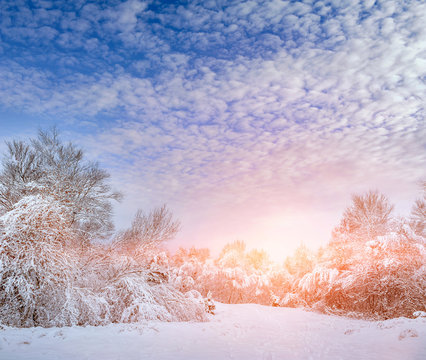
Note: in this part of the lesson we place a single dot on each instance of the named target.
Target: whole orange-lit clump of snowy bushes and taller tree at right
(374, 266)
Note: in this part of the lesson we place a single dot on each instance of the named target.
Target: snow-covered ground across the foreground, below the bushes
(235, 332)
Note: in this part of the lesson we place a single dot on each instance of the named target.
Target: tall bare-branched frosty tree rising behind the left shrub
(45, 165)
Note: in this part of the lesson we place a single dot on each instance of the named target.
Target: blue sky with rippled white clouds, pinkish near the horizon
(252, 120)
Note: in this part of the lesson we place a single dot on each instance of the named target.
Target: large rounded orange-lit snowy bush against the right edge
(390, 282)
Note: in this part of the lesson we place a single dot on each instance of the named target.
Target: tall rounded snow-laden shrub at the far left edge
(37, 265)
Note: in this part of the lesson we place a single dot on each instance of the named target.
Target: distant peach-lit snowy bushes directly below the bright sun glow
(234, 277)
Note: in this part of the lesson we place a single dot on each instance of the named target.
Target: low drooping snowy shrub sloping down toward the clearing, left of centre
(135, 293)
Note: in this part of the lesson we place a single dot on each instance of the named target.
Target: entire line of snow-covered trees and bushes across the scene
(62, 263)
